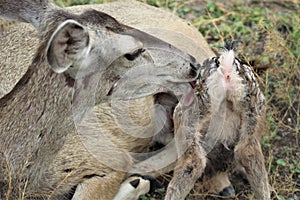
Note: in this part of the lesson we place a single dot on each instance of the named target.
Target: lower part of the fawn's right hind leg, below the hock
(249, 155)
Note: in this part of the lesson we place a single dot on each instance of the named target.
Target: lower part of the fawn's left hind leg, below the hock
(189, 168)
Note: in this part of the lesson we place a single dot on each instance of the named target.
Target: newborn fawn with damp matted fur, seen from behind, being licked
(231, 120)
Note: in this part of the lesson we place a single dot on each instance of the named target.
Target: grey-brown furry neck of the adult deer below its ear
(34, 117)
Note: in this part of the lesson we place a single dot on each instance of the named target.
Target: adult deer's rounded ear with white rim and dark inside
(68, 44)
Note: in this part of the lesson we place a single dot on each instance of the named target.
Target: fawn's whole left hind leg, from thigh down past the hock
(191, 155)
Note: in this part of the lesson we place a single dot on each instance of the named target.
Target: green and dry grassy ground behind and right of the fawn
(270, 35)
